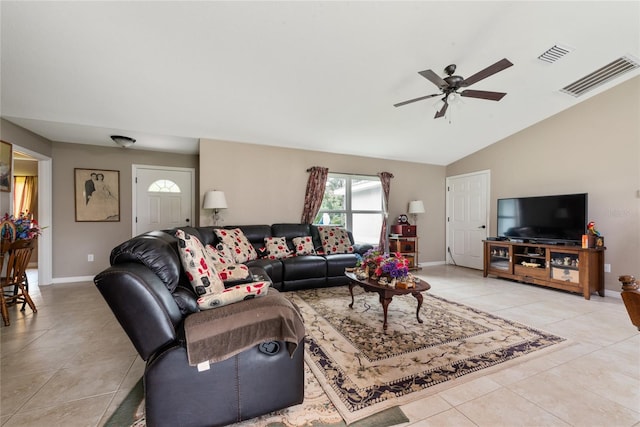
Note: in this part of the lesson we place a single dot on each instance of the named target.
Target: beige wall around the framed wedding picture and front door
(72, 241)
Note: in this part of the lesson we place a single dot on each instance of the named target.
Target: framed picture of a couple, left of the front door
(97, 195)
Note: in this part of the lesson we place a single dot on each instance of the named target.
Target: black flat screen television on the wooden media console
(544, 219)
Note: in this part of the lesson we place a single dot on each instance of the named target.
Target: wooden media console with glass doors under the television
(570, 268)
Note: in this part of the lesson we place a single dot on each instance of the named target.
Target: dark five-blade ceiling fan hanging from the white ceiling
(451, 84)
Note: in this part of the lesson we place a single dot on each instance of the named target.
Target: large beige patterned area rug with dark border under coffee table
(365, 370)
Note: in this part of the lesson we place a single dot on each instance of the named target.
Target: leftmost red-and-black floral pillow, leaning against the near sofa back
(198, 266)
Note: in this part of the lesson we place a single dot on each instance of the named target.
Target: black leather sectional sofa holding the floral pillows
(148, 291)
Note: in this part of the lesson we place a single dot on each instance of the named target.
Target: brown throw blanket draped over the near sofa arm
(223, 332)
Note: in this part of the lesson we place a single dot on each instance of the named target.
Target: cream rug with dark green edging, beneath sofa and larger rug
(316, 411)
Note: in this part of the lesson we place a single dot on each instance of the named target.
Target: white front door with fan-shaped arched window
(163, 198)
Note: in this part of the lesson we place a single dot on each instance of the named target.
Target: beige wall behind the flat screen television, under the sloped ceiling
(592, 148)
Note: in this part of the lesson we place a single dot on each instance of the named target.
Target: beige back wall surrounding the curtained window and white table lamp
(266, 185)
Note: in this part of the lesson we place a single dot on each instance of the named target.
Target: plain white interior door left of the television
(467, 218)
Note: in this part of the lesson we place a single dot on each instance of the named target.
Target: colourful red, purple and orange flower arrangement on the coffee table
(387, 269)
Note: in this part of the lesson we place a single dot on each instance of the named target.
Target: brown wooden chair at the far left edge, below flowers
(14, 259)
